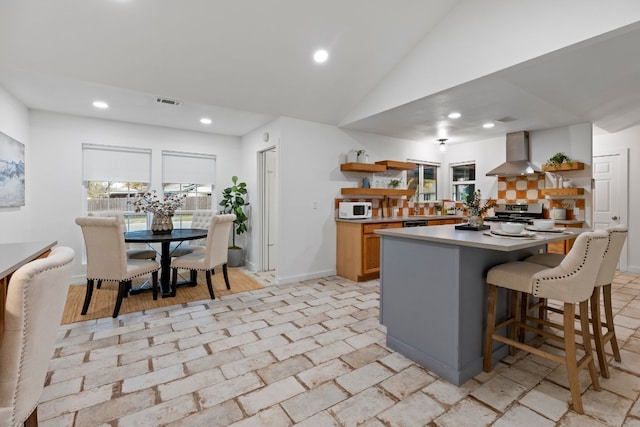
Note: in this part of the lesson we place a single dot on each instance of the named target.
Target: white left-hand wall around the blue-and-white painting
(15, 225)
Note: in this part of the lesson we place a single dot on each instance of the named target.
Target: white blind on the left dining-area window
(111, 163)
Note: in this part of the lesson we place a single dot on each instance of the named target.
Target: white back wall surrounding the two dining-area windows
(56, 148)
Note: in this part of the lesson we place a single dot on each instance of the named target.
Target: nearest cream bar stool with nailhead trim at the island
(571, 282)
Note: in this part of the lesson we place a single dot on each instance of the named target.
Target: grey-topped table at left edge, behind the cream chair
(12, 257)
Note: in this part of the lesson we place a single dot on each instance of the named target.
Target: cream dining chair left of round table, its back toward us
(107, 259)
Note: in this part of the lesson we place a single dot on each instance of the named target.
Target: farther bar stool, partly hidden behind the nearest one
(617, 238)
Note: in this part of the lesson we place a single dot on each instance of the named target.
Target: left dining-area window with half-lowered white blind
(112, 175)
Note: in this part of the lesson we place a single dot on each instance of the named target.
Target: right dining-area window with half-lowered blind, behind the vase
(192, 174)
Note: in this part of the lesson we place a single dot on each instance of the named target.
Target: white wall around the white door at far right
(627, 139)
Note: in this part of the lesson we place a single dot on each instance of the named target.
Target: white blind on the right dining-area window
(191, 168)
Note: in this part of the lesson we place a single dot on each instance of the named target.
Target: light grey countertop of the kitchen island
(447, 234)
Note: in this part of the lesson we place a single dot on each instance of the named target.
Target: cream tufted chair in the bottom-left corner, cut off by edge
(36, 297)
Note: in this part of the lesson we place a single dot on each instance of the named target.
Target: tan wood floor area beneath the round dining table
(103, 299)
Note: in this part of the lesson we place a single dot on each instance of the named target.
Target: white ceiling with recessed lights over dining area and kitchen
(245, 62)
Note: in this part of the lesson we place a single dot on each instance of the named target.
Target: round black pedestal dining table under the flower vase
(165, 239)
